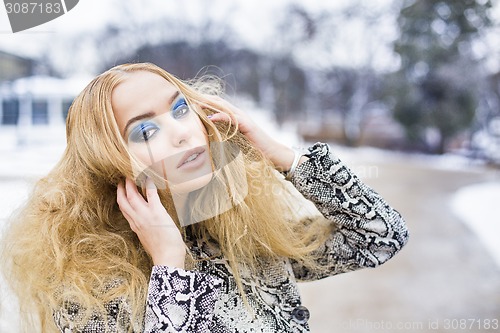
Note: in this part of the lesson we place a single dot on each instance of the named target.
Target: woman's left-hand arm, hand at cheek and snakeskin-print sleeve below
(177, 300)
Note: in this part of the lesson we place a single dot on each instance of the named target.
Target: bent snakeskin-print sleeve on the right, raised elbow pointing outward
(367, 232)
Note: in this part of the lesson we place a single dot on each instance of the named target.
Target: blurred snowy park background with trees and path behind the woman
(407, 92)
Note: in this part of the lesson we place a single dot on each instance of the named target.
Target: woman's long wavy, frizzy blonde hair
(71, 243)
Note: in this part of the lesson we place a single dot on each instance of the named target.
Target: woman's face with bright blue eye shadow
(162, 131)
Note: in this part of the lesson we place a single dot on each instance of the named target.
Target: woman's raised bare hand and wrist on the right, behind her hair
(281, 155)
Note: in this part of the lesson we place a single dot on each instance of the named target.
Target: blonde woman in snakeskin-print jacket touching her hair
(166, 214)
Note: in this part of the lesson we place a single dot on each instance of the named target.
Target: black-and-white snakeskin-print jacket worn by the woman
(368, 232)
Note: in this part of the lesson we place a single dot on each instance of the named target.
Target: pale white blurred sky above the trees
(253, 21)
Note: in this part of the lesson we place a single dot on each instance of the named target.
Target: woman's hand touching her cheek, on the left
(153, 225)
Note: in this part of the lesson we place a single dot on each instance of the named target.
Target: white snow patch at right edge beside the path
(475, 205)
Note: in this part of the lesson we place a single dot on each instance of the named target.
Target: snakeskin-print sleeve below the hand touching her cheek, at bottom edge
(180, 300)
